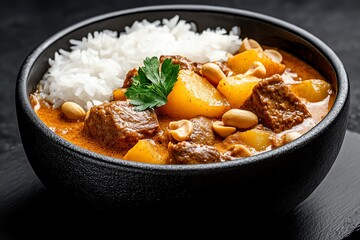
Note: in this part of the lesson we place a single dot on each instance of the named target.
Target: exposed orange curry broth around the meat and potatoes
(73, 132)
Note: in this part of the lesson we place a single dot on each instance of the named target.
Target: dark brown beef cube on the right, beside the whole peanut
(275, 105)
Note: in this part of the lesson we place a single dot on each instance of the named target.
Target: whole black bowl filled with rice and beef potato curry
(120, 119)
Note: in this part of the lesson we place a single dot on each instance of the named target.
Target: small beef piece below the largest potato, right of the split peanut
(202, 132)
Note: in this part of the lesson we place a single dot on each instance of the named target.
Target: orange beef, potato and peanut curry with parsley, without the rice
(179, 109)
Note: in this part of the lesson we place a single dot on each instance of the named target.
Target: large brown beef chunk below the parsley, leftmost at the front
(118, 124)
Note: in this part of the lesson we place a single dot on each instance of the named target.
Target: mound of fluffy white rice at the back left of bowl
(98, 64)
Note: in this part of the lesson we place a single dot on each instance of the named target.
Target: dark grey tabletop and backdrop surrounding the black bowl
(26, 207)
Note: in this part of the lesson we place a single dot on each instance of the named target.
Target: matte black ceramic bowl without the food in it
(277, 180)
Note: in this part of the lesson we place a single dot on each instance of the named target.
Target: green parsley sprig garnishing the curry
(153, 84)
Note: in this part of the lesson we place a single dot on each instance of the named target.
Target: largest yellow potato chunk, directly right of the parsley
(191, 96)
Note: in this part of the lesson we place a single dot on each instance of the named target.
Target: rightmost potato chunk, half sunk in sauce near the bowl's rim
(313, 90)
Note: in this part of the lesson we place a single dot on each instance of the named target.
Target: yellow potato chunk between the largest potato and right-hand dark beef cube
(237, 88)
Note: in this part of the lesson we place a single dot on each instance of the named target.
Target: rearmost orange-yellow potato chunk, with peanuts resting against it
(241, 62)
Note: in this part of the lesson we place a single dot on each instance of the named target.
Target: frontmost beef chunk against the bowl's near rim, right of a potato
(192, 153)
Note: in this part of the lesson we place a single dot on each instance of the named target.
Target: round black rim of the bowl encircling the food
(339, 102)
